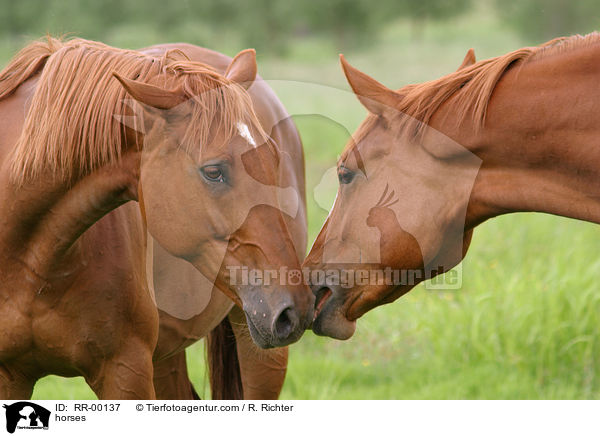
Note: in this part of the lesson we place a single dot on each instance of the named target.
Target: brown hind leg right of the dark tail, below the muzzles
(262, 371)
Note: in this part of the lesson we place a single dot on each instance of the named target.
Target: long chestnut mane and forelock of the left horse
(72, 125)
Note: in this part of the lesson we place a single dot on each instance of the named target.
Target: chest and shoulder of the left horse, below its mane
(61, 308)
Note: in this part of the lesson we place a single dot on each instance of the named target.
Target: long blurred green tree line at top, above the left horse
(265, 24)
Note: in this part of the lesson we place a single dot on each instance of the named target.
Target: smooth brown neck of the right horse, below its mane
(539, 145)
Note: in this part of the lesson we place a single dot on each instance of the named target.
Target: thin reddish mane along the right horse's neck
(471, 87)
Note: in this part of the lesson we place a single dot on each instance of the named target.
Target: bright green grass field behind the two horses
(526, 323)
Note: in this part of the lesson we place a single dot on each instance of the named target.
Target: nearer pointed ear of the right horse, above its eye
(376, 97)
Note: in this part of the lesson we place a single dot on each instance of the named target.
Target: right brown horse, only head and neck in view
(514, 133)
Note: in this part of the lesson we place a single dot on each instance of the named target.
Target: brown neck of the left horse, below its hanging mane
(46, 218)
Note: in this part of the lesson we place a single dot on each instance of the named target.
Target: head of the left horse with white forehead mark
(212, 193)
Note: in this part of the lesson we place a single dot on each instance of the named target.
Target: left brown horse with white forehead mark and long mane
(76, 298)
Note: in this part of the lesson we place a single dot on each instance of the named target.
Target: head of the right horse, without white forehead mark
(400, 206)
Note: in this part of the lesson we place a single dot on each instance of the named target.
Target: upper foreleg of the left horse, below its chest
(127, 374)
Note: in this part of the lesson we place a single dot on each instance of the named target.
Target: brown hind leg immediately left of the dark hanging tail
(171, 380)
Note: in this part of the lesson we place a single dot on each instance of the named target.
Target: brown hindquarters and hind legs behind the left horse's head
(238, 368)
